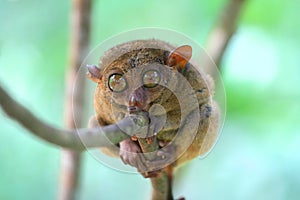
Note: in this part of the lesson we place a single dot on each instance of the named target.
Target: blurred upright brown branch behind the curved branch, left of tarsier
(79, 39)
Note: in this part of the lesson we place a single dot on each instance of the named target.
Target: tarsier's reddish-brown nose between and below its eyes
(137, 101)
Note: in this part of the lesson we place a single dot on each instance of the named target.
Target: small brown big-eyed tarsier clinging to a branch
(136, 75)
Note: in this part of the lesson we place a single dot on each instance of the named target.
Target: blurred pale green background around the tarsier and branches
(257, 156)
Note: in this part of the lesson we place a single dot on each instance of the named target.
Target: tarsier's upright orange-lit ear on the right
(179, 57)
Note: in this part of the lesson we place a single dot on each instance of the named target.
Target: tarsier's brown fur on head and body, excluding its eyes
(111, 107)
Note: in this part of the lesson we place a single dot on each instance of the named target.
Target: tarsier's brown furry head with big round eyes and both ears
(135, 75)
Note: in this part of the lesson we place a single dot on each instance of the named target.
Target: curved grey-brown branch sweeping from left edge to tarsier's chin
(77, 140)
